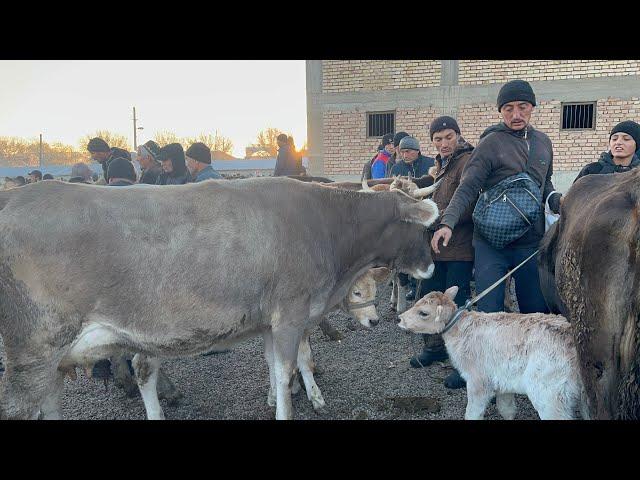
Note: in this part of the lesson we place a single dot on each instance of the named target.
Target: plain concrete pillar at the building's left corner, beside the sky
(315, 136)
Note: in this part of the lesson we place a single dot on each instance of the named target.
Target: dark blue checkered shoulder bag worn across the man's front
(508, 210)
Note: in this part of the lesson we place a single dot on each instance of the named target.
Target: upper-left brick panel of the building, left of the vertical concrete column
(369, 75)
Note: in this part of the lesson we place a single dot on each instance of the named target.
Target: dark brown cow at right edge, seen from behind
(592, 253)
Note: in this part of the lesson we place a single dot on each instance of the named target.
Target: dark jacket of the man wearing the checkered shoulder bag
(501, 153)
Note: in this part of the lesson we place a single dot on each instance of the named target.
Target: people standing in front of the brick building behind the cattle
(505, 151)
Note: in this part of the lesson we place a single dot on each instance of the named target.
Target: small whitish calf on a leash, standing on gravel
(506, 353)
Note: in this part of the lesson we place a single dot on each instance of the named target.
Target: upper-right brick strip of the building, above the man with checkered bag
(475, 72)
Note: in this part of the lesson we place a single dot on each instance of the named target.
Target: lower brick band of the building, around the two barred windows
(347, 146)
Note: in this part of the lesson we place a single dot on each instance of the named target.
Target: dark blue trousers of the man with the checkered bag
(491, 264)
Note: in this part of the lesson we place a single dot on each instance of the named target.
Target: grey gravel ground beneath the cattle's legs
(366, 375)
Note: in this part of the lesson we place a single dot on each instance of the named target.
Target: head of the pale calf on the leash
(431, 313)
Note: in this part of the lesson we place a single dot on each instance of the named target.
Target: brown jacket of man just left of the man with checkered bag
(448, 173)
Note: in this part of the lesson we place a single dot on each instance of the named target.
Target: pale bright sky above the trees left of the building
(65, 100)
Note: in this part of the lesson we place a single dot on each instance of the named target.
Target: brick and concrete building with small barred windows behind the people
(350, 102)
